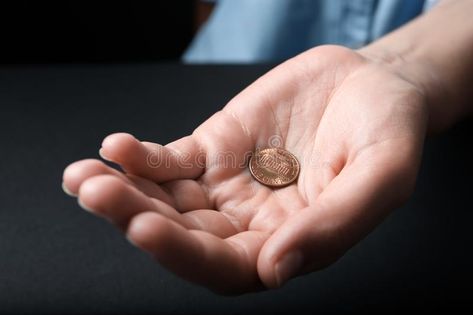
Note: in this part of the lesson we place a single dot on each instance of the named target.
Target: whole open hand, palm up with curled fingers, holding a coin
(357, 129)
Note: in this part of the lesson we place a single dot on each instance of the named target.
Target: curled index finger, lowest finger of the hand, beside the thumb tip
(224, 266)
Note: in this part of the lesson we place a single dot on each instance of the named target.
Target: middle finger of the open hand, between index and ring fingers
(113, 199)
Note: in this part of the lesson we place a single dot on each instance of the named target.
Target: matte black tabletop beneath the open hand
(56, 258)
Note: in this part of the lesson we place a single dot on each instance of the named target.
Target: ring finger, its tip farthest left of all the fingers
(76, 173)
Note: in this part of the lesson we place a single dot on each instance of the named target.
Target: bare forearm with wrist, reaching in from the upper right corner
(435, 52)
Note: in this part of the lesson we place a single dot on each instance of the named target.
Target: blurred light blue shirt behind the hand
(246, 31)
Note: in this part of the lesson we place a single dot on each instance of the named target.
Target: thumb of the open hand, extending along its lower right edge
(348, 209)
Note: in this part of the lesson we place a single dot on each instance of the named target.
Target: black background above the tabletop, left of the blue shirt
(45, 31)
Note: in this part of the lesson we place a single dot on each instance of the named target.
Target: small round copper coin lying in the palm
(274, 167)
